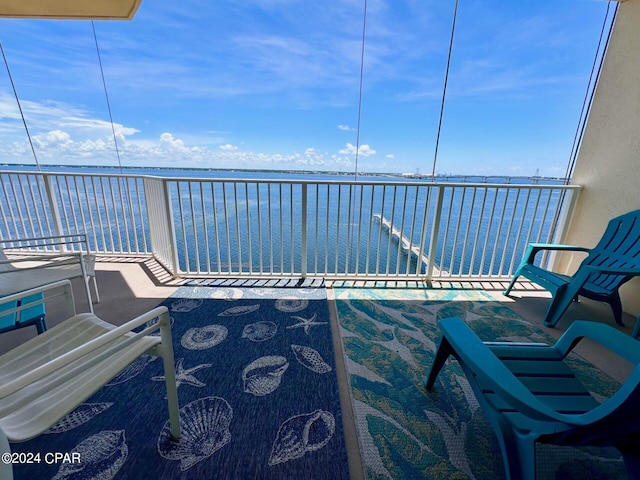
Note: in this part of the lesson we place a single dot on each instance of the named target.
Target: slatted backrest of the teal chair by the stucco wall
(618, 247)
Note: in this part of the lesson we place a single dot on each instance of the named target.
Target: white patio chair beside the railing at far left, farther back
(41, 260)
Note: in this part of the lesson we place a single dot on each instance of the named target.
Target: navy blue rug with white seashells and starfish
(258, 397)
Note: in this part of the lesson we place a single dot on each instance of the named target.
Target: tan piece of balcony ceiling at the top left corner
(71, 9)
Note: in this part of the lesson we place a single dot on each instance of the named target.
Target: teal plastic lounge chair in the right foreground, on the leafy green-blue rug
(531, 396)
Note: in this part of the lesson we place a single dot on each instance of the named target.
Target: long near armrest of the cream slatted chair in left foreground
(91, 346)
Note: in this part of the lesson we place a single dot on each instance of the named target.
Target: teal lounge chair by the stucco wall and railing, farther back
(612, 262)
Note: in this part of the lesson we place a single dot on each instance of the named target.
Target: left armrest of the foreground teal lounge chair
(478, 360)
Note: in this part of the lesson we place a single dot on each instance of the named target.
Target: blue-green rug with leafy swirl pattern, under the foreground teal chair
(389, 339)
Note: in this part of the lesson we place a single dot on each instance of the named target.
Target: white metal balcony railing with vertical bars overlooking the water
(287, 228)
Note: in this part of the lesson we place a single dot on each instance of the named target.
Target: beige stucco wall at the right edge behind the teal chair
(608, 164)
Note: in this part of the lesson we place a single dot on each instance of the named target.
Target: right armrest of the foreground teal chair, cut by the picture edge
(616, 341)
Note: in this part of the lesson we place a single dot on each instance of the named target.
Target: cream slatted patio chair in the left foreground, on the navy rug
(47, 377)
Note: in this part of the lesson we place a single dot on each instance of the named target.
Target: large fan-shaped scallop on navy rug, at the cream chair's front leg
(204, 427)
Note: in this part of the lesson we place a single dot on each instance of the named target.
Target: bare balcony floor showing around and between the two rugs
(130, 286)
